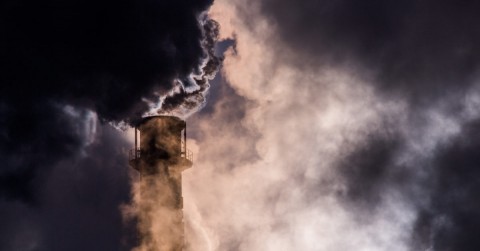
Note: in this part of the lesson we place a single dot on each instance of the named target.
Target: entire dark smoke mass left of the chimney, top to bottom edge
(68, 68)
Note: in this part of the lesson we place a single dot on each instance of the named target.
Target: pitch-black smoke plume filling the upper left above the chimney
(104, 56)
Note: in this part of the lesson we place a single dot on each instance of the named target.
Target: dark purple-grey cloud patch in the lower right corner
(450, 219)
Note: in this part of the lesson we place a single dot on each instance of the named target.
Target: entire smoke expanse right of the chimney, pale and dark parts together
(341, 125)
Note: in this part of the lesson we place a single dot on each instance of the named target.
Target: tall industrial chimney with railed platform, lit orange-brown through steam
(160, 157)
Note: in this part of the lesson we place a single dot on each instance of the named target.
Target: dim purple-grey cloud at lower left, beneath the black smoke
(76, 202)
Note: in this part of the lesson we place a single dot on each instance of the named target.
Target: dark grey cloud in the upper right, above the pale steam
(424, 49)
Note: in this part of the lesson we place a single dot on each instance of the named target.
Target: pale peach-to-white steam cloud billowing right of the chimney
(269, 179)
